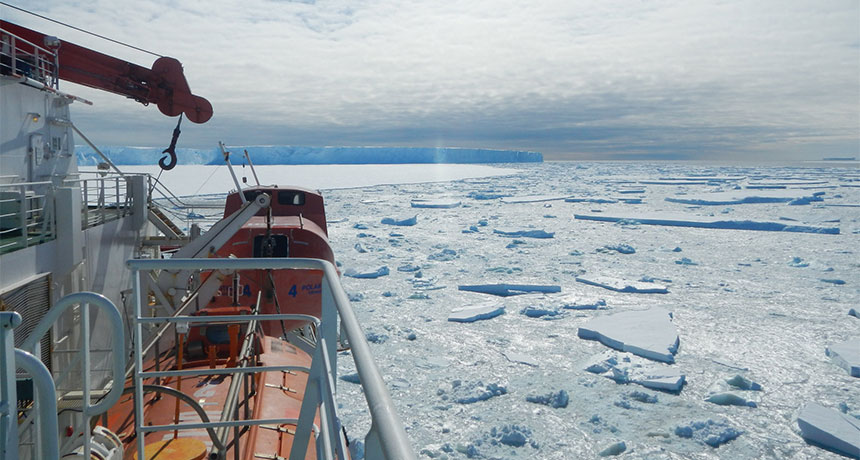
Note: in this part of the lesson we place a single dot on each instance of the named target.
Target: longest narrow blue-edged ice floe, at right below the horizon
(684, 220)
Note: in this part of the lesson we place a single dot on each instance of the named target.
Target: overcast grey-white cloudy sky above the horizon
(733, 79)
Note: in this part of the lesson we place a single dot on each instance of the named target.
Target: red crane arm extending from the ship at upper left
(163, 85)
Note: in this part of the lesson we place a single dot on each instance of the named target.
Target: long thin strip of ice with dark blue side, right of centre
(720, 224)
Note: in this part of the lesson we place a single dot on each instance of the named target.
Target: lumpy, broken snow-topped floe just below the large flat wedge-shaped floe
(625, 369)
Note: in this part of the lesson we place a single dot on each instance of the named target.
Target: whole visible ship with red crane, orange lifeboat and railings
(114, 344)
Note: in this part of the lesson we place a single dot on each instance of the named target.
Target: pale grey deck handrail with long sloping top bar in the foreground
(387, 437)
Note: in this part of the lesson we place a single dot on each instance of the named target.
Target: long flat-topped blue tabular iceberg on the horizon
(303, 155)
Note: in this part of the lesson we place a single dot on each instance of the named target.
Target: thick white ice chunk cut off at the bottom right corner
(830, 428)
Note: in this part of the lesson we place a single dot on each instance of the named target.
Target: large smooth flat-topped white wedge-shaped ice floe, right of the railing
(647, 333)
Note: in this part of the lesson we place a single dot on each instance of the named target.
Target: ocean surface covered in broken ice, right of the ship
(516, 380)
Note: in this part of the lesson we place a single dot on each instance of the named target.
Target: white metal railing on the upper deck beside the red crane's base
(21, 57)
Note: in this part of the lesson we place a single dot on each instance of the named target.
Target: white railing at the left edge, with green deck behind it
(26, 215)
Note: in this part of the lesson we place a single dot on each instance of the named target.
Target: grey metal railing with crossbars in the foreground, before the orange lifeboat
(386, 438)
